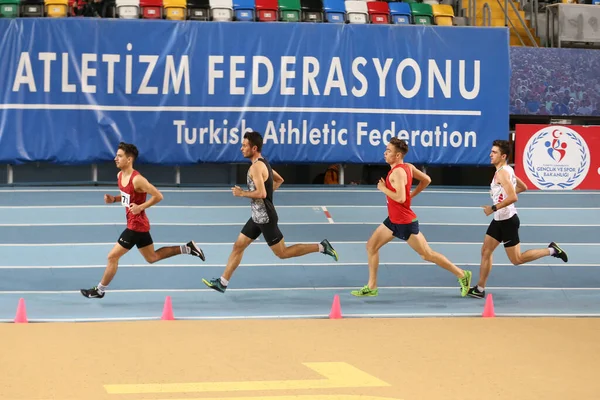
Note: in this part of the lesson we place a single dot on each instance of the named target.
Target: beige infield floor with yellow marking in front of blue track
(349, 359)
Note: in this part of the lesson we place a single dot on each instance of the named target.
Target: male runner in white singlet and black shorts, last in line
(504, 227)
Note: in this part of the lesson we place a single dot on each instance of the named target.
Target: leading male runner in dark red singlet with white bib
(134, 189)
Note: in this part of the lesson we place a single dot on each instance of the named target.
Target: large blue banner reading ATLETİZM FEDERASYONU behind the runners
(185, 92)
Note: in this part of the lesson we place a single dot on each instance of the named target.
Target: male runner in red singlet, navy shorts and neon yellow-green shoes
(402, 222)
